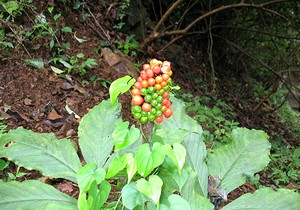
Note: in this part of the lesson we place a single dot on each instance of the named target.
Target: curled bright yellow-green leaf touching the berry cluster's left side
(120, 86)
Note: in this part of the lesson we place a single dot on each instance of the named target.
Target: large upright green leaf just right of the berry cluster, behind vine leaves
(181, 127)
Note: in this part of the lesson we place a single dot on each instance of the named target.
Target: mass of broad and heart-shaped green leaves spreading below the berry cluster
(167, 172)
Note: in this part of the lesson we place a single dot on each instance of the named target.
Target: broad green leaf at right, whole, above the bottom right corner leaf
(247, 154)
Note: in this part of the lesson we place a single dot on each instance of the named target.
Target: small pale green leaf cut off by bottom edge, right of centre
(176, 202)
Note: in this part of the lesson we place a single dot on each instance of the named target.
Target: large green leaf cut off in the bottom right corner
(267, 199)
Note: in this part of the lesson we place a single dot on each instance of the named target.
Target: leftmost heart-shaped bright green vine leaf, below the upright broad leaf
(87, 174)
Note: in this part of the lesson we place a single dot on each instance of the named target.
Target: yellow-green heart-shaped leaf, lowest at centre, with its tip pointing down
(151, 188)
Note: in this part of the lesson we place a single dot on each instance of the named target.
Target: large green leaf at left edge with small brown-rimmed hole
(43, 152)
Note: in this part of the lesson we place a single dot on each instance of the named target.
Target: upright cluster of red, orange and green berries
(150, 93)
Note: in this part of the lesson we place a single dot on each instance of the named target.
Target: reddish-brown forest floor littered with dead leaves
(37, 99)
